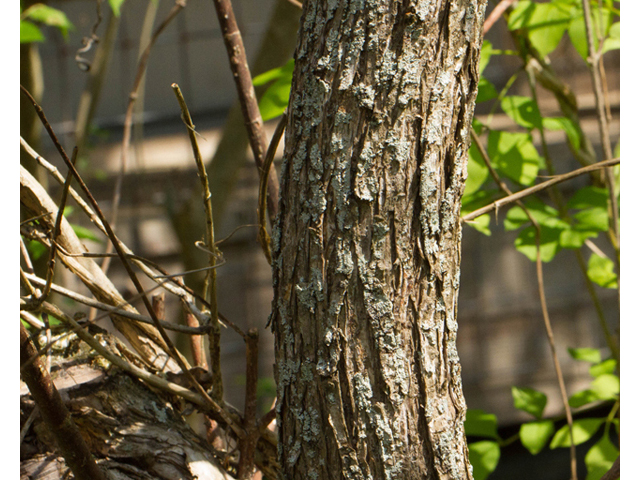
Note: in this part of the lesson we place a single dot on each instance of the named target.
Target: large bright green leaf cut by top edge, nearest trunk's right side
(545, 23)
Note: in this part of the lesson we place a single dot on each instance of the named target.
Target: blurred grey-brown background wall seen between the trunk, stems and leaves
(502, 340)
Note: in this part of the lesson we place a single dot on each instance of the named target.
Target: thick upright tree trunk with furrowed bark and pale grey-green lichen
(367, 241)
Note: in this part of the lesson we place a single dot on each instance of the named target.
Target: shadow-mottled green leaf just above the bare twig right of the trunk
(514, 155)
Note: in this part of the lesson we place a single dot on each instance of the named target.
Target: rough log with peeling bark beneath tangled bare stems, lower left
(132, 431)
